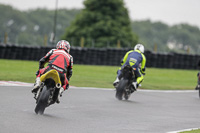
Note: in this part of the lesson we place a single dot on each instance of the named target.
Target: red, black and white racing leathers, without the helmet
(59, 60)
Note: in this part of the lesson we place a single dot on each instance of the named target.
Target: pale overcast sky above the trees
(167, 11)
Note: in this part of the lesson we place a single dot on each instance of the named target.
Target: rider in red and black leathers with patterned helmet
(60, 60)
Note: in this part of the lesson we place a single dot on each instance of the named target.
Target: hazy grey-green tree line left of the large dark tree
(32, 27)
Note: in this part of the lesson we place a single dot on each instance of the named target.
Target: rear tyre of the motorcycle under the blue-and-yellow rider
(120, 88)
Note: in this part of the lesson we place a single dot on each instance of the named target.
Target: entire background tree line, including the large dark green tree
(35, 27)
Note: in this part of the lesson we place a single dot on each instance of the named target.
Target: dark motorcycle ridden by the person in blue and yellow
(125, 88)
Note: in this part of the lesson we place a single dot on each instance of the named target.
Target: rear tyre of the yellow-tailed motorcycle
(42, 101)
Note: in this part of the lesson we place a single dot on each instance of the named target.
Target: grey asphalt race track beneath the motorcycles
(98, 111)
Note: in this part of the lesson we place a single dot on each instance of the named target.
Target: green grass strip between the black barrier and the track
(102, 76)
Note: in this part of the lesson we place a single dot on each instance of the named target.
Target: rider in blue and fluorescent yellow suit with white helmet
(137, 60)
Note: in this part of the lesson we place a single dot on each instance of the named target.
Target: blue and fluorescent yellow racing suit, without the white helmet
(137, 61)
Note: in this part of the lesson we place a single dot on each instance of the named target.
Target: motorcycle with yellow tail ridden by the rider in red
(48, 91)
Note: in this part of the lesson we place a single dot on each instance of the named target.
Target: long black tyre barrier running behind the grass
(102, 56)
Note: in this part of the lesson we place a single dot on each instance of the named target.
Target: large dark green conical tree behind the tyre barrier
(102, 23)
